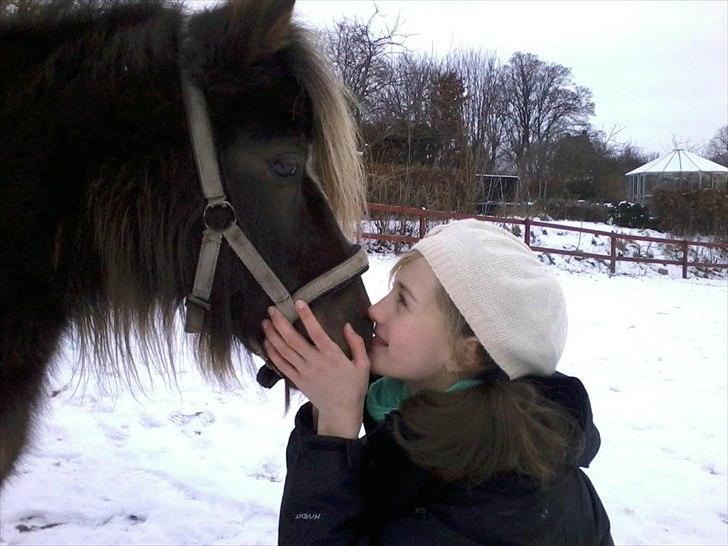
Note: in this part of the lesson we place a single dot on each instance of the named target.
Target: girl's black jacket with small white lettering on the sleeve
(367, 491)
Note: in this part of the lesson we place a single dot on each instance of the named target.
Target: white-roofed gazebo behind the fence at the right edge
(678, 168)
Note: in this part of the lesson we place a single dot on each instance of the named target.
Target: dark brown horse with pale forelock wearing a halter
(138, 137)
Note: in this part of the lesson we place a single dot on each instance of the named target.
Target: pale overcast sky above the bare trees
(658, 70)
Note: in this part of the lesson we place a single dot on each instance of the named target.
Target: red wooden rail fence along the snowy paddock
(424, 215)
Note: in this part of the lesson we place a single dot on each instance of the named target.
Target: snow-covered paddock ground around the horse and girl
(195, 465)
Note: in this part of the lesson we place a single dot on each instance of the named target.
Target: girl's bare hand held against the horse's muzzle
(335, 385)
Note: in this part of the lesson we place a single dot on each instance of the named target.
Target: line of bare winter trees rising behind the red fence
(472, 113)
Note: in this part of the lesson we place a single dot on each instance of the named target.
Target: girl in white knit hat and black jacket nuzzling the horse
(471, 435)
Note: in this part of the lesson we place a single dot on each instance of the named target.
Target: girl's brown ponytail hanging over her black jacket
(497, 427)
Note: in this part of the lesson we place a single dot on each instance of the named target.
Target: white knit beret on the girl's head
(513, 304)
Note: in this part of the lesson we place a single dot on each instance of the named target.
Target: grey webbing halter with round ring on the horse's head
(221, 222)
